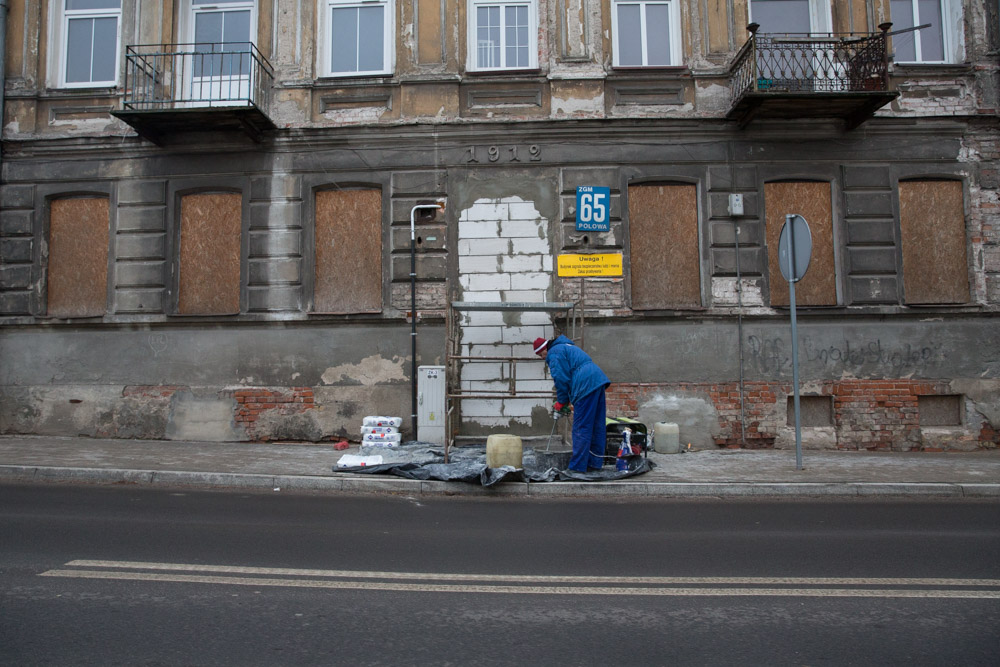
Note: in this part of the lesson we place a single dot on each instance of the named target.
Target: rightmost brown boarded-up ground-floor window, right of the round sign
(932, 223)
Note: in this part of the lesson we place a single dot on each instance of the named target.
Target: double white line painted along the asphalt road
(530, 584)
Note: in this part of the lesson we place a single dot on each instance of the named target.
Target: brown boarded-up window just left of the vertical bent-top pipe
(348, 251)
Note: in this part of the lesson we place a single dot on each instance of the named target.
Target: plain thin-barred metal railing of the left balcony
(165, 77)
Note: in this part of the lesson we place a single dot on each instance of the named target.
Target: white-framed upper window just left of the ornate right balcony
(646, 33)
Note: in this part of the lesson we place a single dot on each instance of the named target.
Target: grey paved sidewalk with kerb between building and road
(310, 467)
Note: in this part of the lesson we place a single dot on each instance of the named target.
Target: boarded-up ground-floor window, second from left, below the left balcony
(210, 254)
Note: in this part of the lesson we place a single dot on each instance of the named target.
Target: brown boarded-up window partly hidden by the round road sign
(814, 202)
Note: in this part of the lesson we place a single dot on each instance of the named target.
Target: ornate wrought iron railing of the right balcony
(780, 63)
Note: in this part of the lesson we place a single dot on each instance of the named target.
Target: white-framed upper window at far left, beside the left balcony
(88, 39)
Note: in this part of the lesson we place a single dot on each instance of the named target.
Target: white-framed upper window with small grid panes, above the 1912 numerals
(502, 35)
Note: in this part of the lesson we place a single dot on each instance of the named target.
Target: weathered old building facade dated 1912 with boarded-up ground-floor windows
(207, 214)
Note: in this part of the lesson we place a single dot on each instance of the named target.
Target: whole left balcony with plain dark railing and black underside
(175, 88)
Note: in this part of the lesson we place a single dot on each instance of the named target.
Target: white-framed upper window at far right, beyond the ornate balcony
(939, 43)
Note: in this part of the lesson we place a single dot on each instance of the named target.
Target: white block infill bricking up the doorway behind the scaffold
(504, 254)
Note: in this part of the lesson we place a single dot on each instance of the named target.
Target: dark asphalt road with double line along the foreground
(142, 576)
